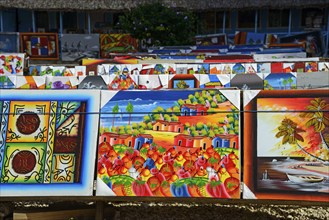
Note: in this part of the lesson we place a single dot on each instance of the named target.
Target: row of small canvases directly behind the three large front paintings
(270, 81)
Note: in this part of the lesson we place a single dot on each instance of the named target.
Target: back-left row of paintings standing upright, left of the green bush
(67, 47)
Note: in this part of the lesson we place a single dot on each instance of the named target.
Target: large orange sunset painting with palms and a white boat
(286, 146)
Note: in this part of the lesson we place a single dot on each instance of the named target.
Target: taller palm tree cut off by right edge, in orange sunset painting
(317, 118)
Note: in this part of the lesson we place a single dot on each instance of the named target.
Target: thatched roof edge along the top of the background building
(127, 4)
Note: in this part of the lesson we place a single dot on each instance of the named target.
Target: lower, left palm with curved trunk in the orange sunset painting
(289, 131)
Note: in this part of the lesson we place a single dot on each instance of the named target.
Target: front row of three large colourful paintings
(175, 143)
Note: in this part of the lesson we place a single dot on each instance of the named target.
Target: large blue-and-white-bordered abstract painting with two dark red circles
(48, 142)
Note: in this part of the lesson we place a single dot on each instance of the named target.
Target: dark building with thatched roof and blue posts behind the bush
(283, 17)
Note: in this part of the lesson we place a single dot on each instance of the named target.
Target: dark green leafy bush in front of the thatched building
(159, 25)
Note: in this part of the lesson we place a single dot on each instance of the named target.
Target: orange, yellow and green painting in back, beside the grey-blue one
(117, 43)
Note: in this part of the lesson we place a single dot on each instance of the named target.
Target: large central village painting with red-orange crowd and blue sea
(182, 143)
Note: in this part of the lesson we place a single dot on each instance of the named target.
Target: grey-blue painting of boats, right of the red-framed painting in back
(75, 47)
